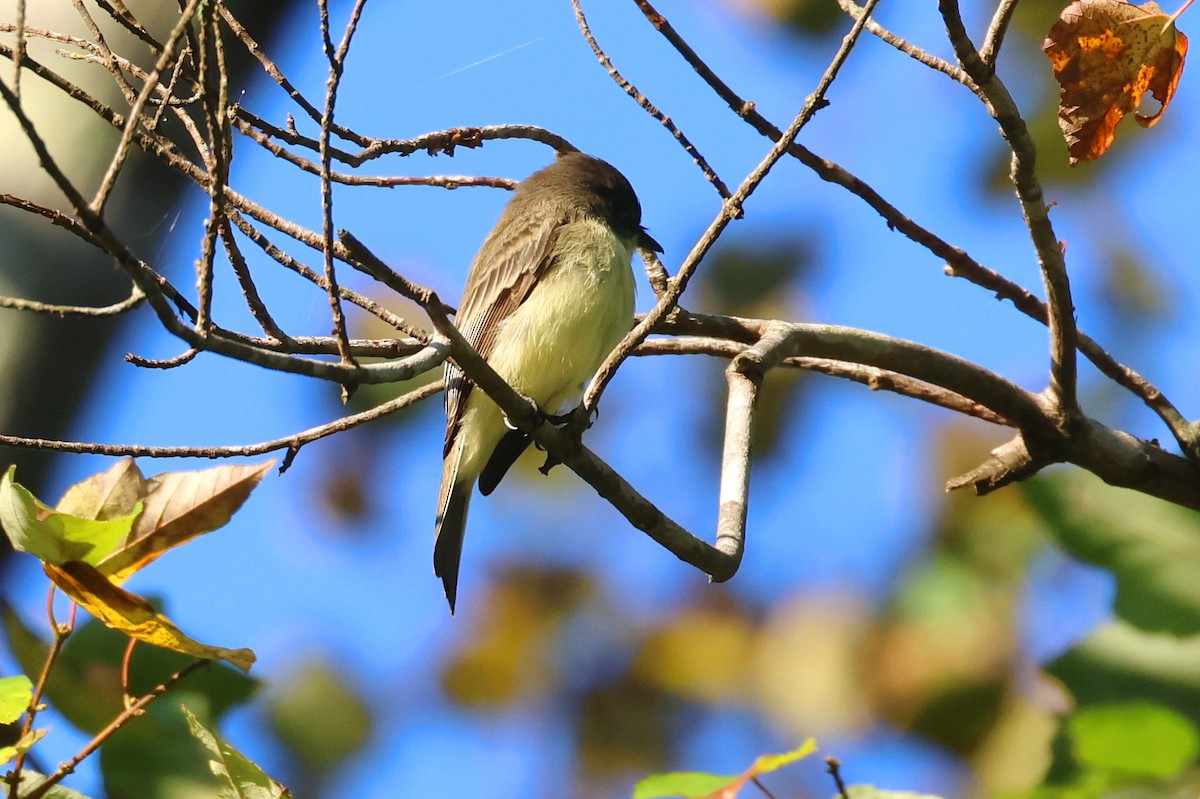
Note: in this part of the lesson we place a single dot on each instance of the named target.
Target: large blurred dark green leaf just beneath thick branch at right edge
(1153, 548)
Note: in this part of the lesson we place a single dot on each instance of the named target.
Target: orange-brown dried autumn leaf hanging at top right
(1107, 55)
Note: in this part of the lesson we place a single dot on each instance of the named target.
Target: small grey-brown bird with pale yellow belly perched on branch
(549, 296)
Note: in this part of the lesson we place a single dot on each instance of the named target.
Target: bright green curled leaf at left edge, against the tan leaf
(55, 537)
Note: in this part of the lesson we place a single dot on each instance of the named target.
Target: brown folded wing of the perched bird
(501, 279)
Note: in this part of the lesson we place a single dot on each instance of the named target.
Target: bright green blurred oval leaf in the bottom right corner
(1135, 738)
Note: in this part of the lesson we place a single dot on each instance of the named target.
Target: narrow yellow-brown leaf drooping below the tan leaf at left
(133, 615)
